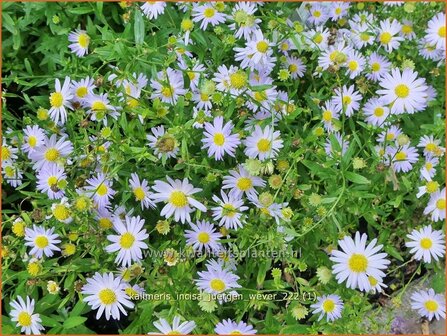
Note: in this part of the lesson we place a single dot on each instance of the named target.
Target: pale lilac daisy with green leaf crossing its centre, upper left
(168, 86)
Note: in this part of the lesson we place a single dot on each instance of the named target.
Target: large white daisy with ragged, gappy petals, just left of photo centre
(177, 195)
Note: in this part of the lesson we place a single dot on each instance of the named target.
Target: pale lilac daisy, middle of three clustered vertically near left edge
(51, 152)
